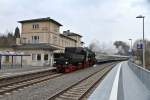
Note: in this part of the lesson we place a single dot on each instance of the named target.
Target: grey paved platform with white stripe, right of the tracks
(126, 81)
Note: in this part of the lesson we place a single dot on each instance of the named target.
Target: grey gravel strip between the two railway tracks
(42, 91)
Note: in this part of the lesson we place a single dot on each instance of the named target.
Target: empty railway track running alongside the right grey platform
(78, 90)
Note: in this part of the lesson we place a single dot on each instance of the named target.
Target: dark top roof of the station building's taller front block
(40, 20)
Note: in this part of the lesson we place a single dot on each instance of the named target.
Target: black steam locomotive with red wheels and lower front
(74, 58)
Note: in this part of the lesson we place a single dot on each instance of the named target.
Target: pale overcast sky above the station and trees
(102, 20)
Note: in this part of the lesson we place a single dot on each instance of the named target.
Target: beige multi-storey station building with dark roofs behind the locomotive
(41, 38)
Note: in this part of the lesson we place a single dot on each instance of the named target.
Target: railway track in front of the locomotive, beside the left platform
(24, 83)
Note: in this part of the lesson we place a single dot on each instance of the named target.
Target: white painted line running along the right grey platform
(114, 91)
